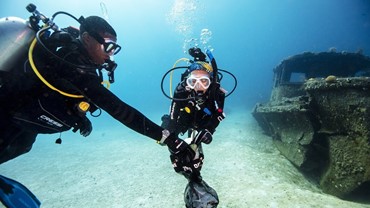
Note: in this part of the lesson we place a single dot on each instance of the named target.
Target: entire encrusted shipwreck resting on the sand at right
(318, 116)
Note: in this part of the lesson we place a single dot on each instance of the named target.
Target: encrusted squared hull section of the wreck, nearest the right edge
(344, 110)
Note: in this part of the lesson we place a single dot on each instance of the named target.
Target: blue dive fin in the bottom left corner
(13, 194)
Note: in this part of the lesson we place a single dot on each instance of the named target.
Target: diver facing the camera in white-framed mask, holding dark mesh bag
(196, 109)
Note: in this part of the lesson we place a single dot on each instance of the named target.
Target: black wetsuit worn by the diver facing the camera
(197, 114)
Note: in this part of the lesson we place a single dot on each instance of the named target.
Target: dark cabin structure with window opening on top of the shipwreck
(292, 73)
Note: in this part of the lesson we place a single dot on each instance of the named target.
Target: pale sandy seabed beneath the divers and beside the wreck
(121, 168)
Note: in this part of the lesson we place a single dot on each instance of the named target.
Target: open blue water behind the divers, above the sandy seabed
(248, 38)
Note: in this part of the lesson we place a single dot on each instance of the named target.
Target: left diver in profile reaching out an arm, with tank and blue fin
(51, 88)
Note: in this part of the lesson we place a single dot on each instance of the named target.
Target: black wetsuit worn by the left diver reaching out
(28, 107)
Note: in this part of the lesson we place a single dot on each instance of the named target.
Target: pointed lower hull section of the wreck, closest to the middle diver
(291, 129)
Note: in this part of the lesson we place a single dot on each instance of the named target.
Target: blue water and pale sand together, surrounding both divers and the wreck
(248, 38)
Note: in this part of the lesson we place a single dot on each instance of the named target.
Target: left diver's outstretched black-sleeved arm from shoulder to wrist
(89, 83)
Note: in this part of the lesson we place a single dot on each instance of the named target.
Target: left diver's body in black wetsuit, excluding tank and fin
(68, 86)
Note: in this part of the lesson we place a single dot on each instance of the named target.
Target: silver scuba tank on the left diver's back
(15, 39)
